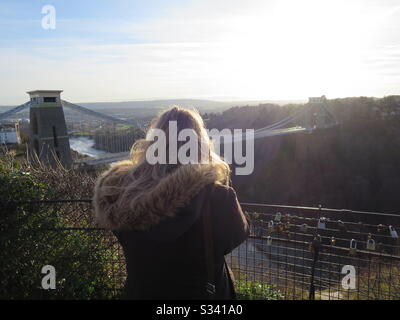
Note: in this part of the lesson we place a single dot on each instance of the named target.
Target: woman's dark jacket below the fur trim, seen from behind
(168, 261)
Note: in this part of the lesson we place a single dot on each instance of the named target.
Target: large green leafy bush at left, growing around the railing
(33, 235)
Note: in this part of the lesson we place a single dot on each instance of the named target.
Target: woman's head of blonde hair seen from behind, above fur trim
(178, 126)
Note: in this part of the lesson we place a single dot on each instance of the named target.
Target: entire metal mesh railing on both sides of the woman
(291, 253)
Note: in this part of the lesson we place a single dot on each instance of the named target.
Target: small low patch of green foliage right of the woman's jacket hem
(247, 290)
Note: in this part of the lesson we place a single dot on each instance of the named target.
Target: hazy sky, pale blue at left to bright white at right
(251, 49)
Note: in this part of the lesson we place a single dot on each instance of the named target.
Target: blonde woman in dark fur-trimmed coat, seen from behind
(175, 221)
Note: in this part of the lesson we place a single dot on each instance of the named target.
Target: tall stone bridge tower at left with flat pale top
(48, 130)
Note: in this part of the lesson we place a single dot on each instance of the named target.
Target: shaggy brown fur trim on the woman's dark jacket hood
(115, 208)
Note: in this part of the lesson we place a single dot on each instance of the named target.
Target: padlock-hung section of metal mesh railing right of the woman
(319, 253)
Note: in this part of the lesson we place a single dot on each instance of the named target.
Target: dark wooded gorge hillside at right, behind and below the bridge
(355, 165)
